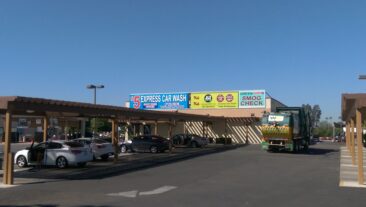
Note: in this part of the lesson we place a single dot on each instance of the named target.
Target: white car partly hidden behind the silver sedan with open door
(100, 148)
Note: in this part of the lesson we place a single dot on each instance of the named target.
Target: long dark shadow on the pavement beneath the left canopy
(99, 170)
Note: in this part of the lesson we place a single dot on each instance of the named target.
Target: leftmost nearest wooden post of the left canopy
(8, 176)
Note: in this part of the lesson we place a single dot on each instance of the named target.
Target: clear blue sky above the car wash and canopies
(300, 51)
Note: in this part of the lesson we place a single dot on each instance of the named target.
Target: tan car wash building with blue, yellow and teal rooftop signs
(241, 111)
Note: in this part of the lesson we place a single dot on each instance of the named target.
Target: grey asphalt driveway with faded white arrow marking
(245, 176)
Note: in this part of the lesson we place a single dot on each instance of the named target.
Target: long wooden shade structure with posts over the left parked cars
(27, 106)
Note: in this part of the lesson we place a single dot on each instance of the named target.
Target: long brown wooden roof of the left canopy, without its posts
(18, 105)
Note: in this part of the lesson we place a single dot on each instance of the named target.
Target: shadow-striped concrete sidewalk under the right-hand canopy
(348, 171)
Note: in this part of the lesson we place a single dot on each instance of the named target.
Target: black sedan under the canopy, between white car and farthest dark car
(145, 143)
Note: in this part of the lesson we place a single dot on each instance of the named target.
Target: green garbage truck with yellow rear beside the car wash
(287, 129)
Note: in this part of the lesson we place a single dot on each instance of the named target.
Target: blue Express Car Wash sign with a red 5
(169, 101)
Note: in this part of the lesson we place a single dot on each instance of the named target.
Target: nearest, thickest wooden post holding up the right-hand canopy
(359, 146)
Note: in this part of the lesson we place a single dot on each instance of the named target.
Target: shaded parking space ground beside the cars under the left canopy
(102, 168)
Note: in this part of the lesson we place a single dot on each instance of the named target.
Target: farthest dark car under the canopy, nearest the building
(192, 140)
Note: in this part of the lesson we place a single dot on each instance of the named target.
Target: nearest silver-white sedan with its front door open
(58, 153)
